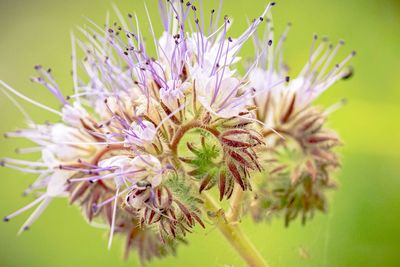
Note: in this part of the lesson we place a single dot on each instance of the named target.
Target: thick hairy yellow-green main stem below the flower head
(233, 234)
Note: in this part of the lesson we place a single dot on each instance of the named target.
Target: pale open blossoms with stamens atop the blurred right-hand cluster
(315, 77)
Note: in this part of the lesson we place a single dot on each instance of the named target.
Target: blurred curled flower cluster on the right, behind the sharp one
(300, 167)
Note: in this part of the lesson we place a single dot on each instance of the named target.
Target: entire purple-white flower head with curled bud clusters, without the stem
(144, 136)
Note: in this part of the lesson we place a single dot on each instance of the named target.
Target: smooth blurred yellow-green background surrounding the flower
(362, 227)
